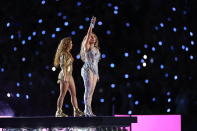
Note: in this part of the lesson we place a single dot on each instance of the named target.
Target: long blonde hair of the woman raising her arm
(82, 51)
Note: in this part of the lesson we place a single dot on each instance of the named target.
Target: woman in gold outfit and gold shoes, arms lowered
(64, 59)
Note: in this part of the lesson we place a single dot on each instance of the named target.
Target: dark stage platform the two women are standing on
(63, 122)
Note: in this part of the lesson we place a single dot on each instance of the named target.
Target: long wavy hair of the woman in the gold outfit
(63, 47)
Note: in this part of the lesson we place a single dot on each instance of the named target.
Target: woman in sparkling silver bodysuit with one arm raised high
(90, 55)
